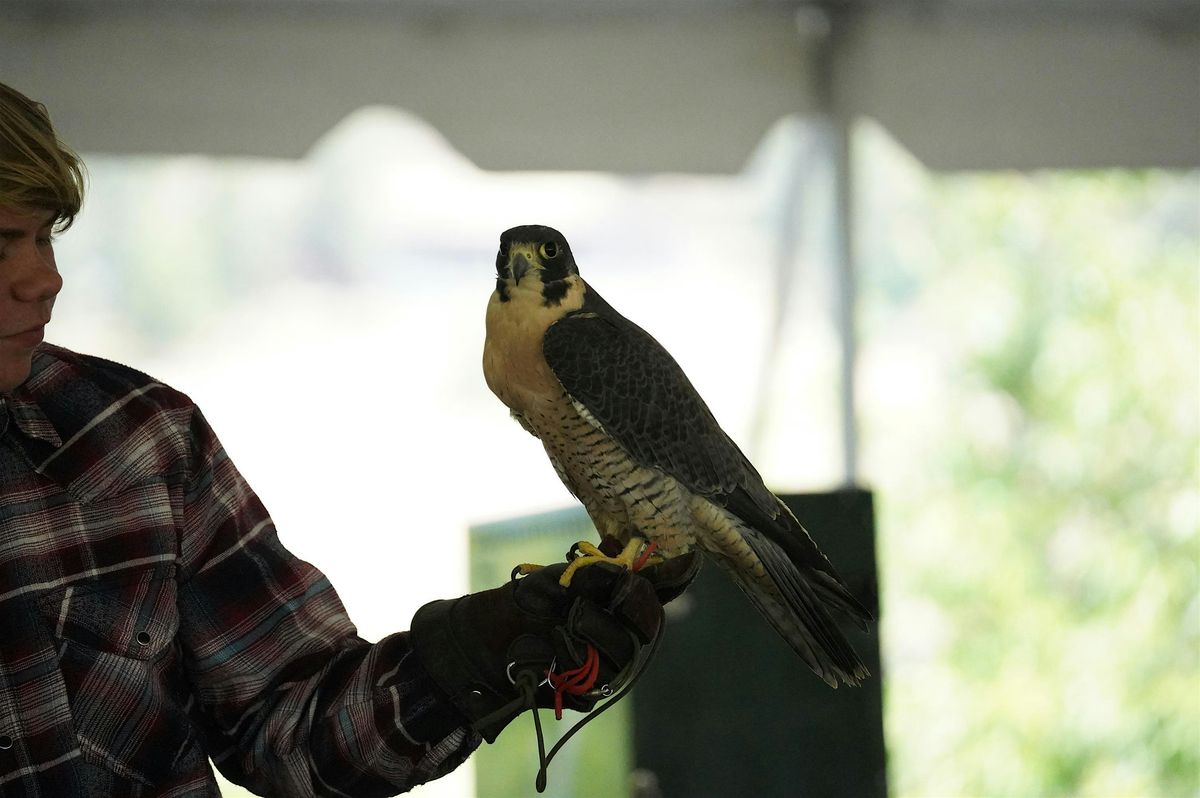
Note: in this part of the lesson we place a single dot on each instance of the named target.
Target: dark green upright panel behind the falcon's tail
(728, 710)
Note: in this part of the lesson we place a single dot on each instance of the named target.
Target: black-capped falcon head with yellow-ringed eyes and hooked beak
(535, 257)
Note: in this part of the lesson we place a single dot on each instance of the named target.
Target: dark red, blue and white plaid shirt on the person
(151, 619)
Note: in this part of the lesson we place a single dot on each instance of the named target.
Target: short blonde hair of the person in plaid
(38, 171)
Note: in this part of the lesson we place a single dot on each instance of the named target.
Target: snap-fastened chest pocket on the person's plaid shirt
(117, 650)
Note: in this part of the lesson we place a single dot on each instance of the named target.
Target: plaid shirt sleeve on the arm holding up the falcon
(290, 700)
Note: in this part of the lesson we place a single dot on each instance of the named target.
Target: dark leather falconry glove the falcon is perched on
(478, 647)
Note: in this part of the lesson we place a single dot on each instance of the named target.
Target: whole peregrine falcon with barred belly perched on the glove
(635, 443)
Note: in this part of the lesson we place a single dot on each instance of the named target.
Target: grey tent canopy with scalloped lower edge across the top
(626, 86)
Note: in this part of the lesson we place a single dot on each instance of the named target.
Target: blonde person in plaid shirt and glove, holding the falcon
(152, 620)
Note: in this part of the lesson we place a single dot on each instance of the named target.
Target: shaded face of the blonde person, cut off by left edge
(29, 283)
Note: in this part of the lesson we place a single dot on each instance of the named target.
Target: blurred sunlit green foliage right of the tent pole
(1031, 370)
